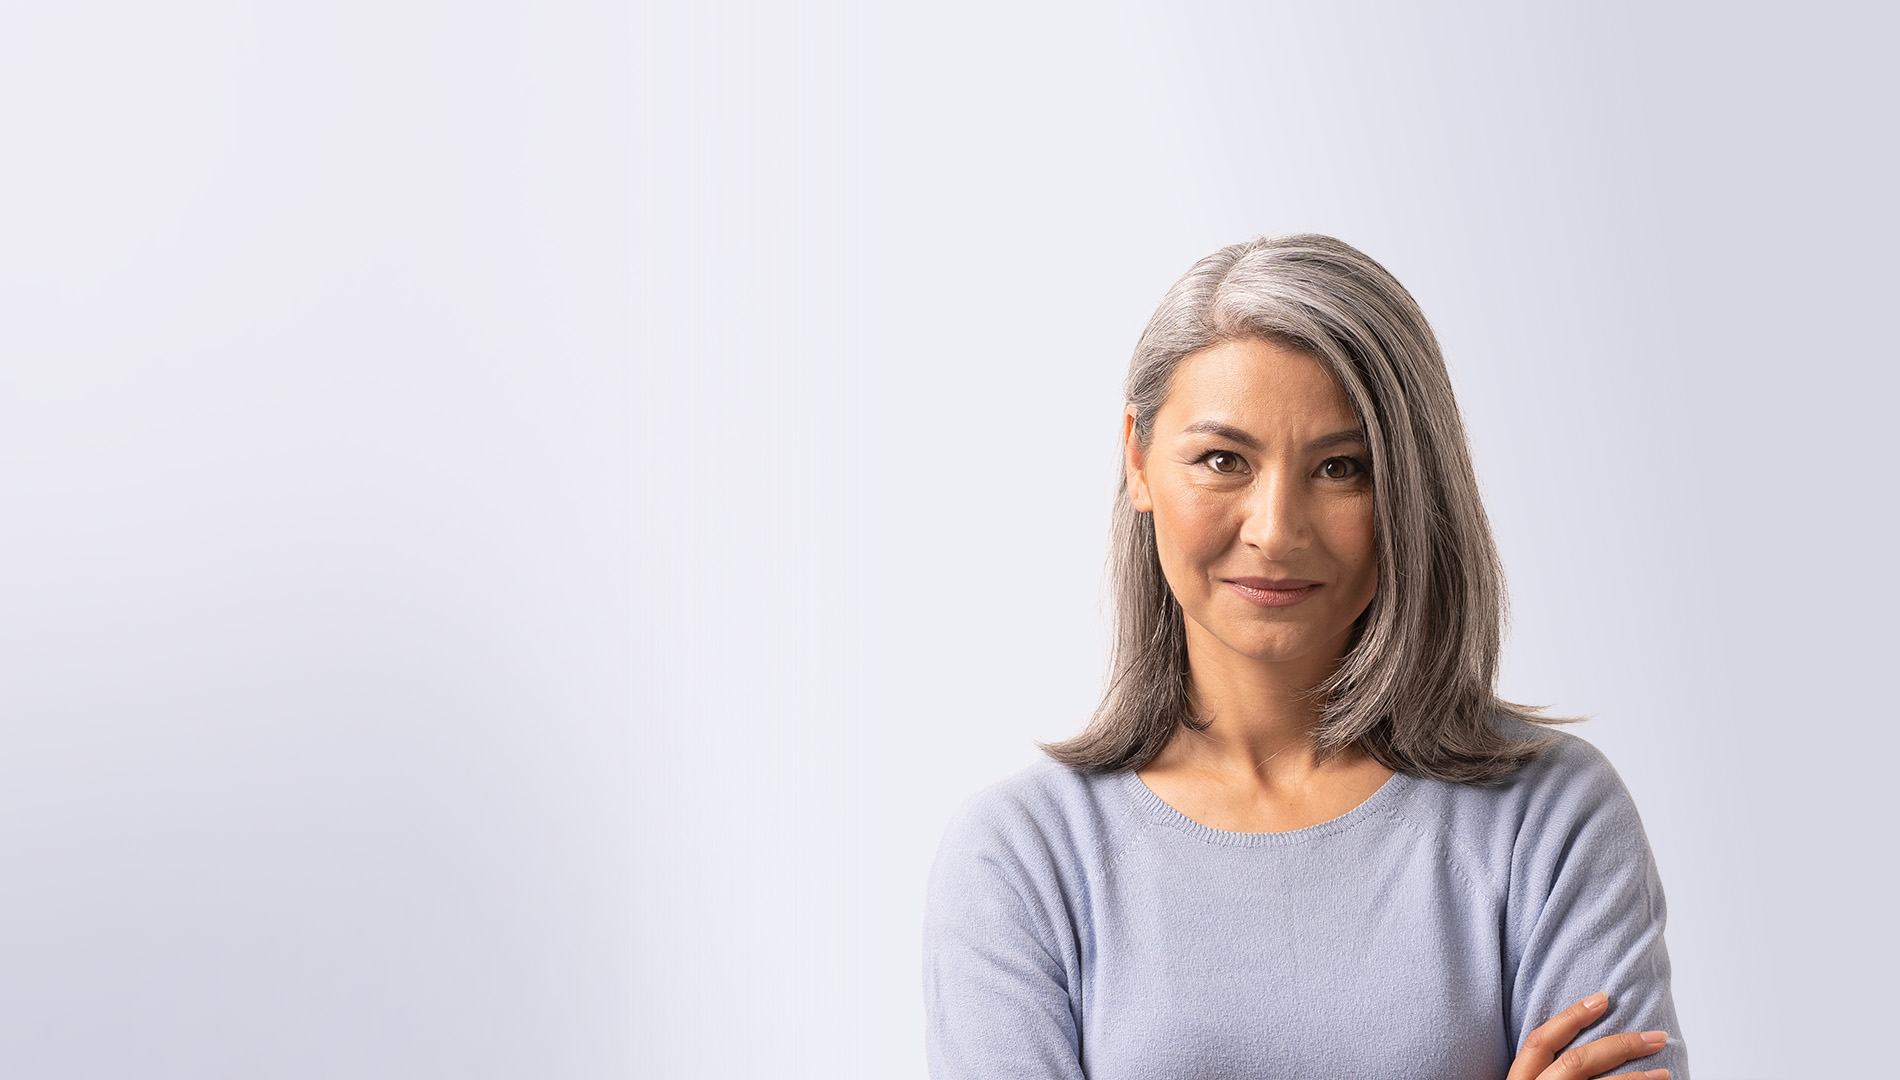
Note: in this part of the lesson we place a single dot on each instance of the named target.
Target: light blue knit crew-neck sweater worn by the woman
(1076, 925)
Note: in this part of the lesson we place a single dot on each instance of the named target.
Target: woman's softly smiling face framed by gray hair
(1259, 480)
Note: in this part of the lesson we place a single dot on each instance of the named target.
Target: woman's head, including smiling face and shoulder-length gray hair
(1337, 343)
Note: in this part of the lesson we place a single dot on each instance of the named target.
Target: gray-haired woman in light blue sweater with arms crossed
(1302, 836)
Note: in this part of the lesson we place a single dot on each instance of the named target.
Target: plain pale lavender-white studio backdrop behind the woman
(525, 520)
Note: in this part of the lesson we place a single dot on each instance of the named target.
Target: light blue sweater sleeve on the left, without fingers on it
(997, 982)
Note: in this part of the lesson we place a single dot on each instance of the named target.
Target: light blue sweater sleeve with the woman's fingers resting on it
(1586, 908)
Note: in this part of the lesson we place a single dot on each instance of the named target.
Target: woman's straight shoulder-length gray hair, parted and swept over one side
(1416, 687)
